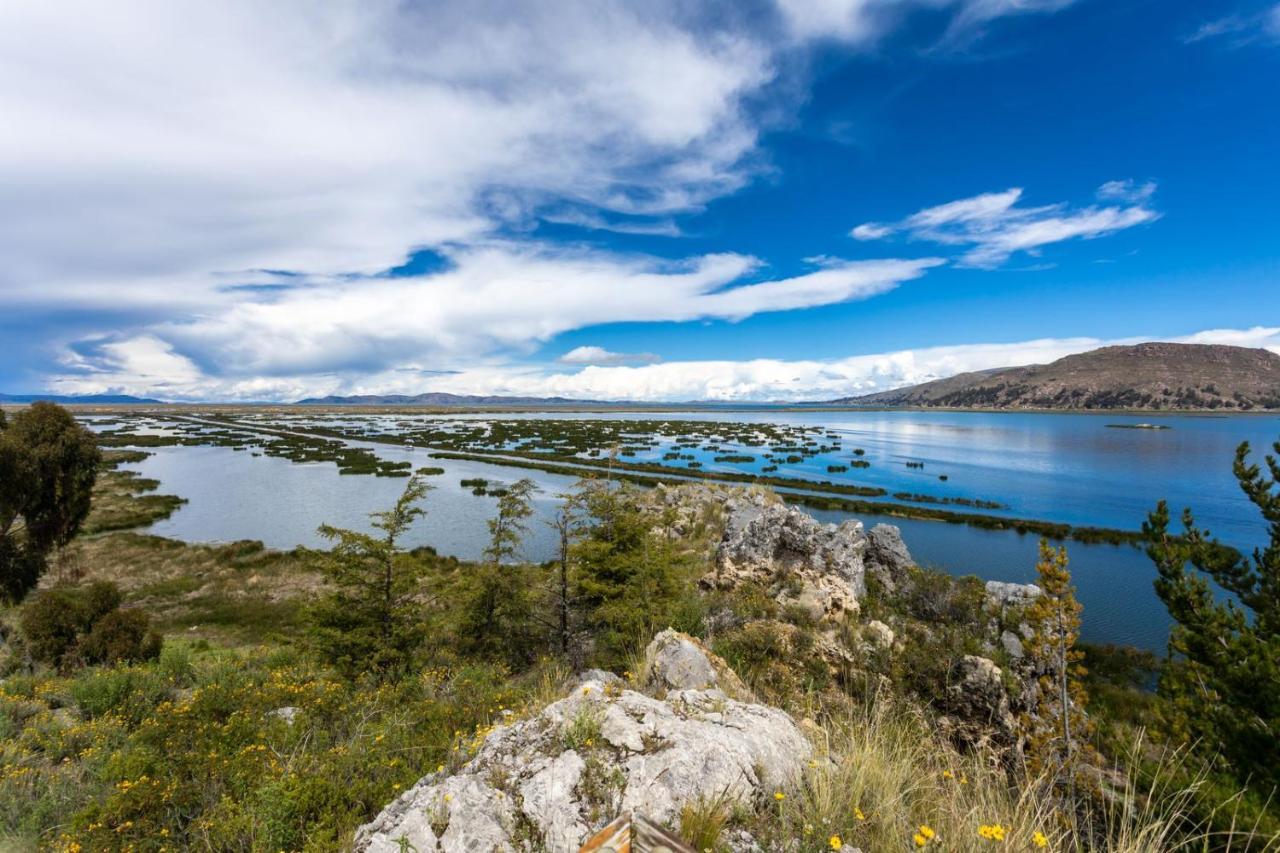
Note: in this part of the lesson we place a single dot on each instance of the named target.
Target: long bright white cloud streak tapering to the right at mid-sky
(499, 298)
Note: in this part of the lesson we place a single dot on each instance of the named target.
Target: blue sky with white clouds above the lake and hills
(767, 200)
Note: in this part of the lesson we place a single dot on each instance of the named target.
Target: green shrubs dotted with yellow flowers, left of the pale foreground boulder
(196, 758)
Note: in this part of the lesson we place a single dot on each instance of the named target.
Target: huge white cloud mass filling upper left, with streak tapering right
(252, 172)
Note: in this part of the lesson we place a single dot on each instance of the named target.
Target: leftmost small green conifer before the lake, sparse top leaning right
(372, 618)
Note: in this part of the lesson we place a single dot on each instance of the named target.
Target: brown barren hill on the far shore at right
(1172, 377)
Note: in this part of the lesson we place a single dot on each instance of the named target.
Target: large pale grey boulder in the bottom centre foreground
(548, 782)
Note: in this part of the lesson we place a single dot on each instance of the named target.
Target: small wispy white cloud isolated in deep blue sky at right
(994, 227)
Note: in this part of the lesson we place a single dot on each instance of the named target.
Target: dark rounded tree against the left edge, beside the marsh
(48, 467)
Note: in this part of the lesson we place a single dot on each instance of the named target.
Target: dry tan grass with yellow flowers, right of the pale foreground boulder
(881, 773)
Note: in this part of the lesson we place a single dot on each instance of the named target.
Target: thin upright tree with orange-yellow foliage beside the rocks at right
(1057, 728)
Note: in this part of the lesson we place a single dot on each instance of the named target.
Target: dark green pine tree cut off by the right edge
(1223, 678)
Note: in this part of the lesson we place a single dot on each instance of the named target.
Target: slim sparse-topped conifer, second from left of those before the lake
(499, 615)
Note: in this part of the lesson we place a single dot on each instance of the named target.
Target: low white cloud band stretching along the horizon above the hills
(757, 380)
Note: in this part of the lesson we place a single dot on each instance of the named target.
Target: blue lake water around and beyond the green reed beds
(1058, 468)
